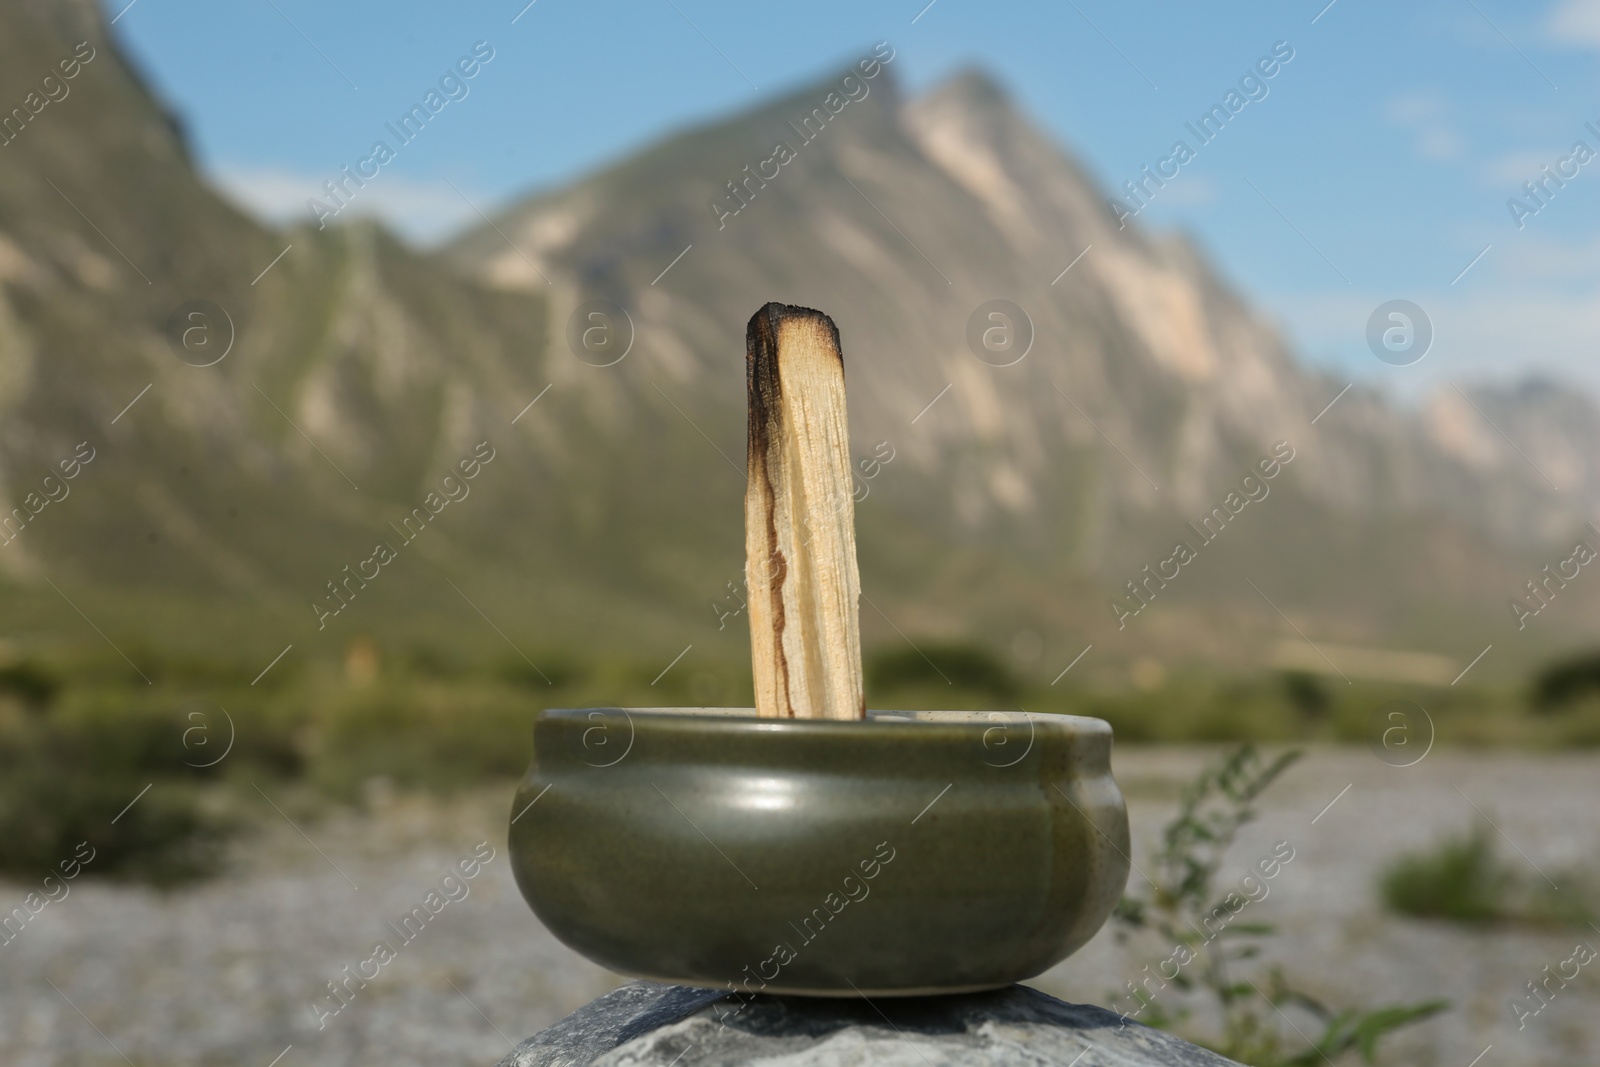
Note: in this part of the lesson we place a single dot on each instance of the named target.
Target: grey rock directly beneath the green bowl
(658, 1026)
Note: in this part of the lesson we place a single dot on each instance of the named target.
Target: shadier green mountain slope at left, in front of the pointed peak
(223, 500)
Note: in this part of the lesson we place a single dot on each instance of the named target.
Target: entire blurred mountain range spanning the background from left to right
(233, 508)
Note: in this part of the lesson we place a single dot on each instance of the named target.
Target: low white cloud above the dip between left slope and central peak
(420, 212)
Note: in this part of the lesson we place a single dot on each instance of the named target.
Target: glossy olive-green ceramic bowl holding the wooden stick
(911, 853)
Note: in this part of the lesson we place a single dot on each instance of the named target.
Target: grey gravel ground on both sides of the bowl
(226, 973)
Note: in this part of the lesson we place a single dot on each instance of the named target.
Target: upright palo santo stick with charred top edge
(801, 521)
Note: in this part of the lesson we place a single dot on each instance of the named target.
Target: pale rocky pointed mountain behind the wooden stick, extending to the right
(1148, 394)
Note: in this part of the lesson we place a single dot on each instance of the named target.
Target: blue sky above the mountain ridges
(1378, 166)
